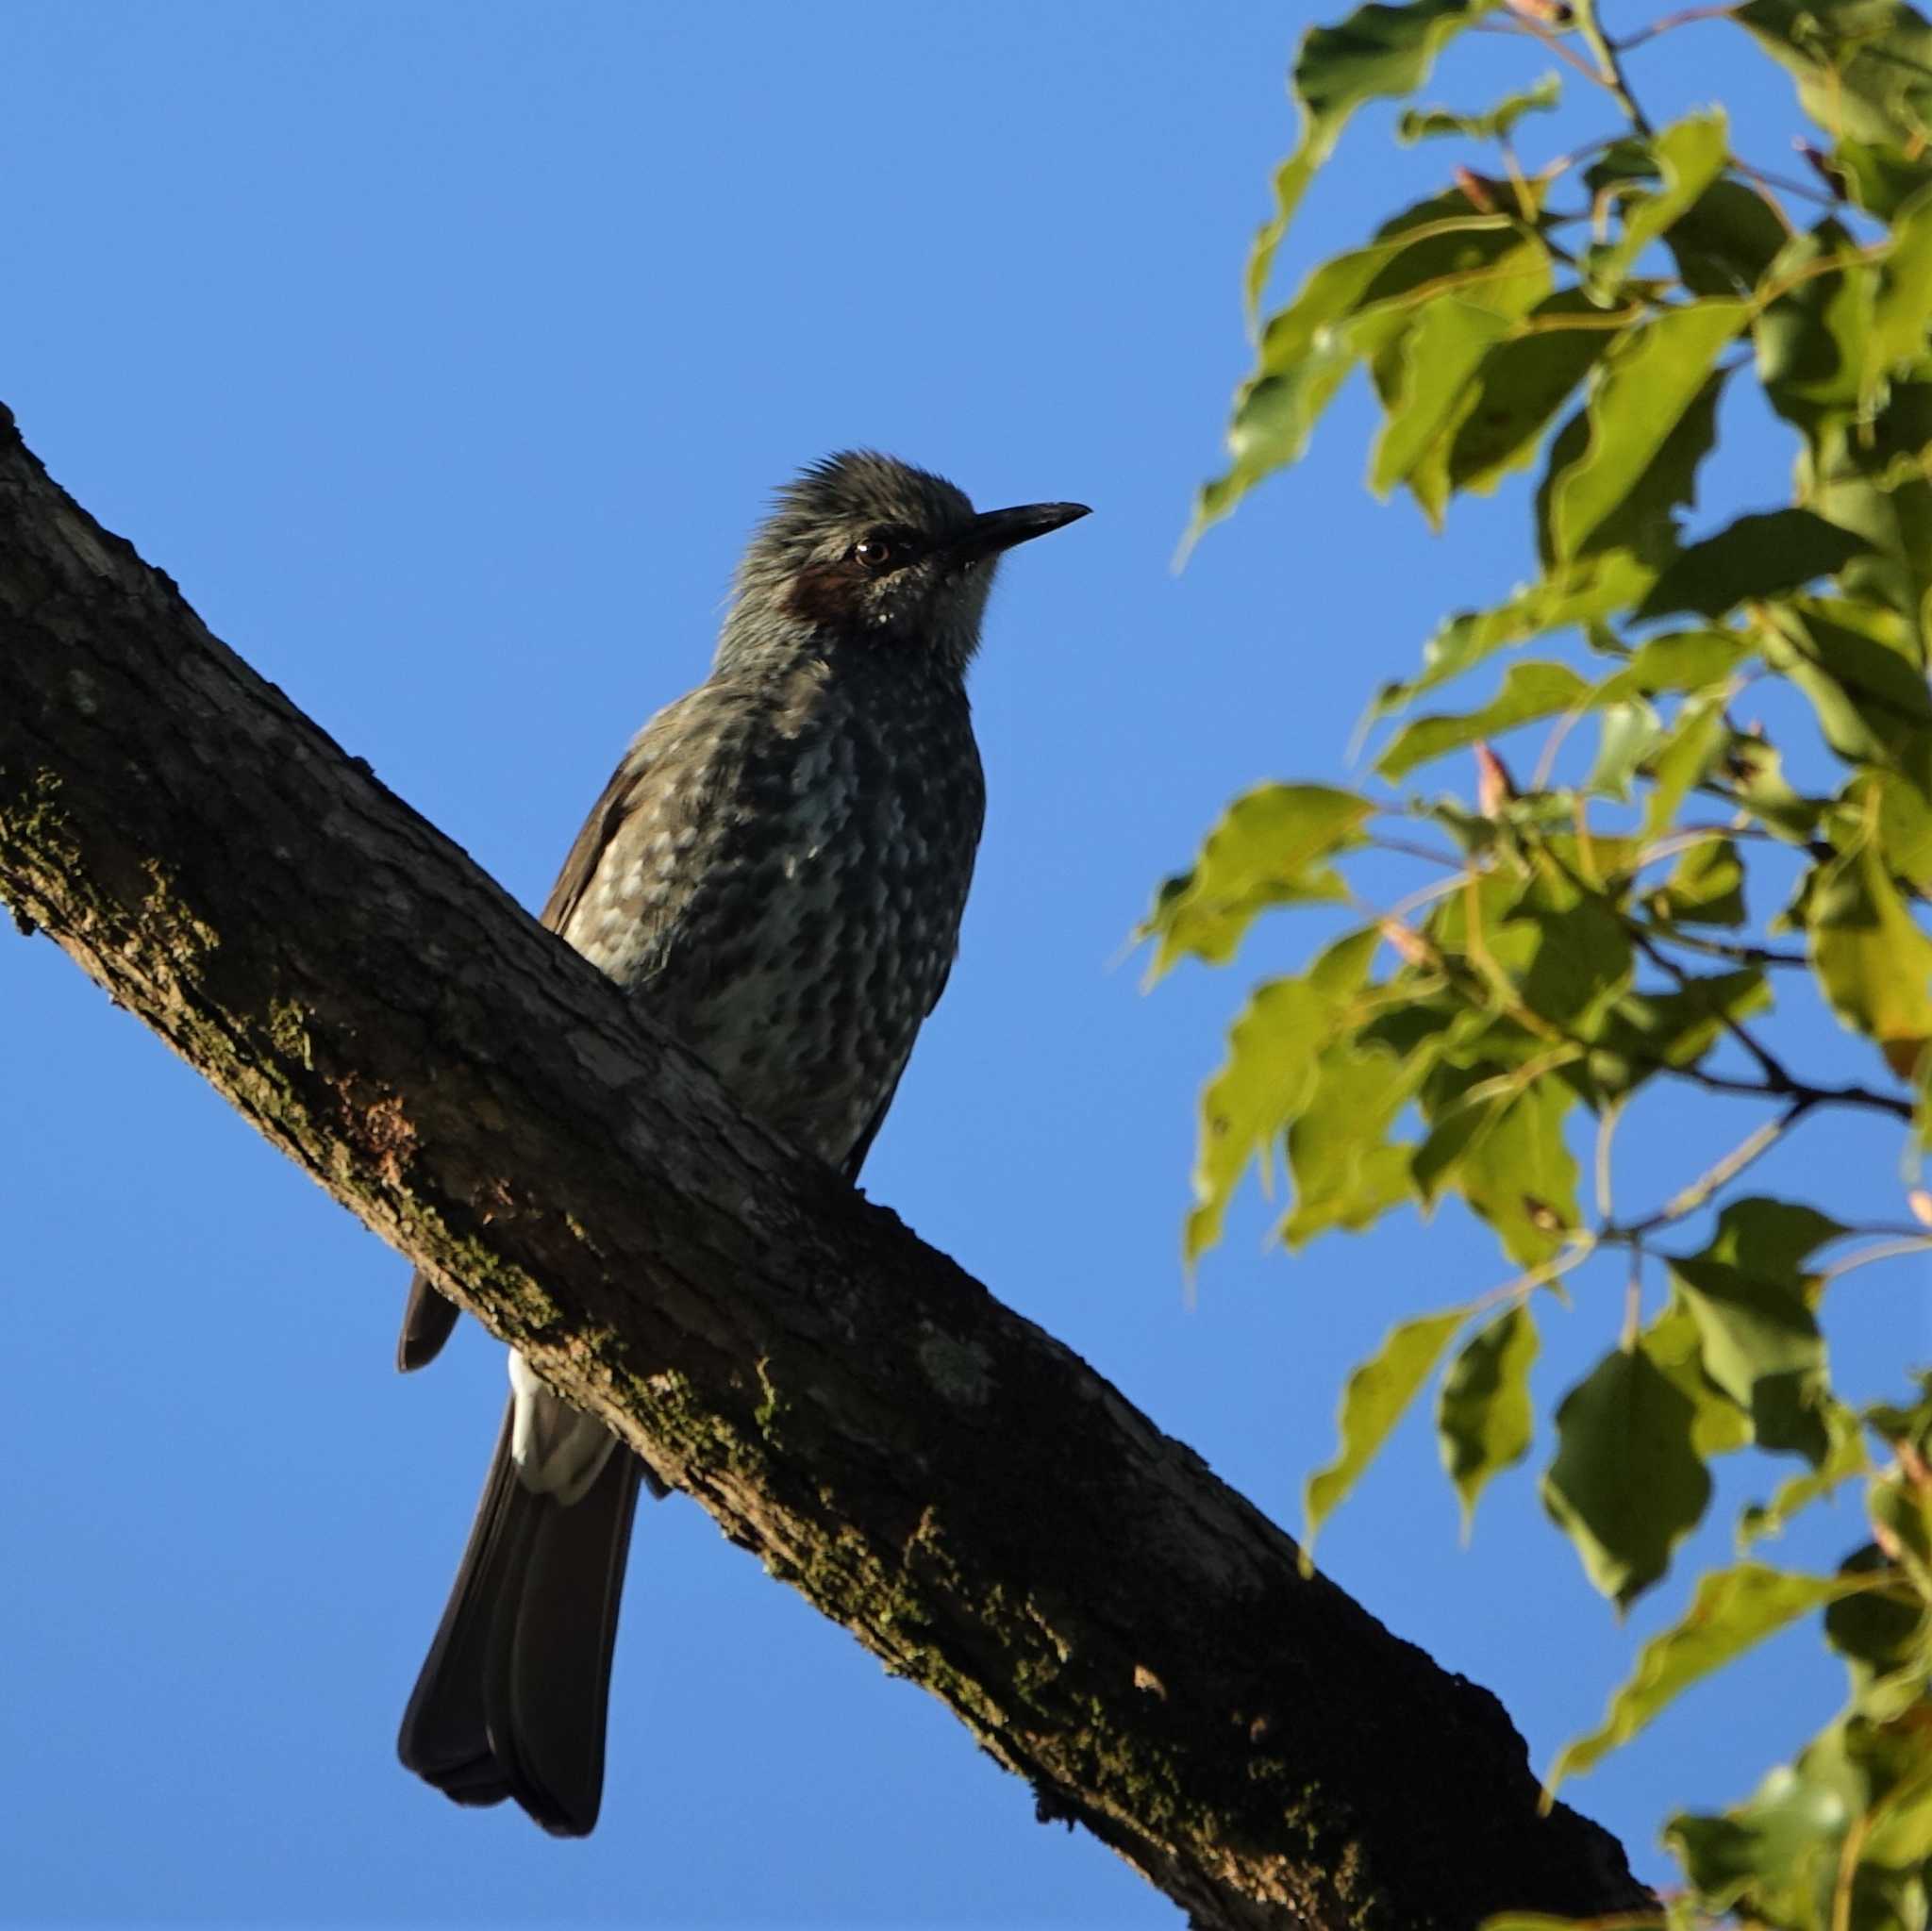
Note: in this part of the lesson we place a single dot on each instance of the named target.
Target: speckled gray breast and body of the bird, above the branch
(778, 874)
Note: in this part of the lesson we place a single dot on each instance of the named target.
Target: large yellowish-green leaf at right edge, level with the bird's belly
(1871, 957)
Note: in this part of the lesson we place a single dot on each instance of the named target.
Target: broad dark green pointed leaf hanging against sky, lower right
(1628, 1484)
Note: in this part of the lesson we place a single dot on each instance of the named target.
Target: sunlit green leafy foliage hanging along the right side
(1591, 928)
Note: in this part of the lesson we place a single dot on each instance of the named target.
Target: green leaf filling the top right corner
(1863, 67)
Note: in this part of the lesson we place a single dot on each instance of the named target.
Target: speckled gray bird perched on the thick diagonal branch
(776, 874)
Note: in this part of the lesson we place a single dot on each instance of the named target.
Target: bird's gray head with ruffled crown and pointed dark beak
(870, 553)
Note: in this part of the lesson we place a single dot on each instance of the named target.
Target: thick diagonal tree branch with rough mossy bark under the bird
(934, 1472)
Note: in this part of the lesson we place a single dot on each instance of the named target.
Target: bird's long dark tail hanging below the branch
(513, 1696)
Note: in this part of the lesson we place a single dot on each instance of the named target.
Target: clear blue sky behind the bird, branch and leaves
(445, 354)
